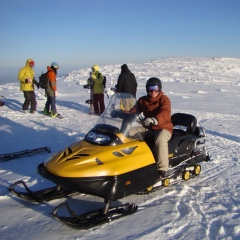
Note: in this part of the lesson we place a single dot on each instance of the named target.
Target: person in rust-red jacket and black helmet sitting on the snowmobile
(156, 108)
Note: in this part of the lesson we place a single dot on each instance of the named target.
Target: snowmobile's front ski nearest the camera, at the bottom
(93, 218)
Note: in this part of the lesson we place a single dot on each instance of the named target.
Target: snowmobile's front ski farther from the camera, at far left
(44, 195)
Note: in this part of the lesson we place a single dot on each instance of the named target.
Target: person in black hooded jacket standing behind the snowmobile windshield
(127, 83)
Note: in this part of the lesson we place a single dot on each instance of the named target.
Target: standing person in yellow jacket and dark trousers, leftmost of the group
(27, 80)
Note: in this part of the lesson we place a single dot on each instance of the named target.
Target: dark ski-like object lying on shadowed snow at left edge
(24, 153)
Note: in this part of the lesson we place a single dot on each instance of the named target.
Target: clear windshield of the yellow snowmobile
(117, 114)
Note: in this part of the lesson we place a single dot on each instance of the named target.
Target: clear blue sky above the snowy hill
(80, 33)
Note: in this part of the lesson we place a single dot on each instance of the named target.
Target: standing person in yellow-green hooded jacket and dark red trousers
(98, 89)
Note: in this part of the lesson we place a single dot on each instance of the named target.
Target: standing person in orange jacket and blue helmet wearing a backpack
(51, 91)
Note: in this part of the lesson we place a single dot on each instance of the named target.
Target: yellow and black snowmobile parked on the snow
(116, 159)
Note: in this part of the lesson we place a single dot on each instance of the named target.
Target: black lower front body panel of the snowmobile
(107, 187)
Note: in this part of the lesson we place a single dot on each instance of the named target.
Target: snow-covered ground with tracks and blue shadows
(206, 207)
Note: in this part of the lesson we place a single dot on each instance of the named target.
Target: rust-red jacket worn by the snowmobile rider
(158, 107)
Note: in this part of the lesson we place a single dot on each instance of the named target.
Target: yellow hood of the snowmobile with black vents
(87, 160)
